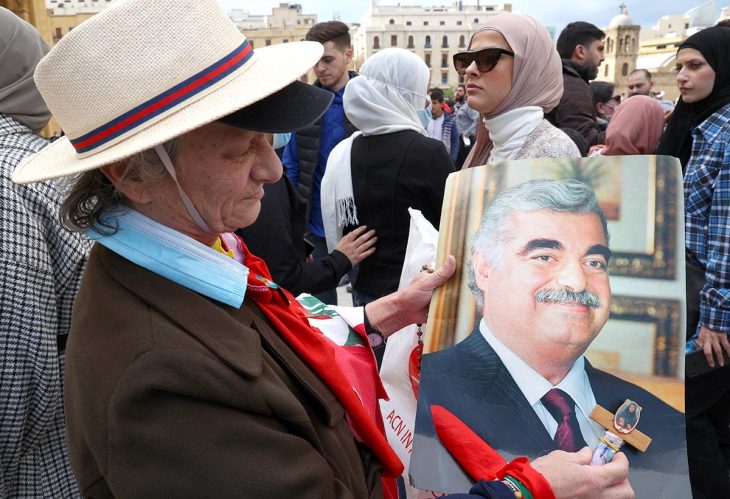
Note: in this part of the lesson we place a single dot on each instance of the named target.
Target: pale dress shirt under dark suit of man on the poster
(534, 387)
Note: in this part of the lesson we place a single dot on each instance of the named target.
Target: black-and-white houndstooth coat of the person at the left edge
(40, 267)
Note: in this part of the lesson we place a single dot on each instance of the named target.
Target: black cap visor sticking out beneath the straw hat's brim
(293, 107)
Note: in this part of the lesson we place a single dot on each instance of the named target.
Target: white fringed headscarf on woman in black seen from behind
(385, 98)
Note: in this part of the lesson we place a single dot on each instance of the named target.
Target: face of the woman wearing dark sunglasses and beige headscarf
(487, 90)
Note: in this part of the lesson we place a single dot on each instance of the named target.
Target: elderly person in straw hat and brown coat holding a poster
(190, 373)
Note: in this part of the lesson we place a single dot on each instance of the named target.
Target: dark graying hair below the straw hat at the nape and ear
(91, 194)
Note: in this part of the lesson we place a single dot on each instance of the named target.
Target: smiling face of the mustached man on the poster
(545, 253)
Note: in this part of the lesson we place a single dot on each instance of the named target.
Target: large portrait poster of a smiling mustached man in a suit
(628, 346)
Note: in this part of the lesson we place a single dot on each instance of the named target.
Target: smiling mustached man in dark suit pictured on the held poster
(538, 268)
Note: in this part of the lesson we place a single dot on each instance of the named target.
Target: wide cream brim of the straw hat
(270, 70)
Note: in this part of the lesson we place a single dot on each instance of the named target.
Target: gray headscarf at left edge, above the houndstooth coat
(21, 47)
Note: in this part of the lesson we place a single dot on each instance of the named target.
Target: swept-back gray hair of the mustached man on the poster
(567, 196)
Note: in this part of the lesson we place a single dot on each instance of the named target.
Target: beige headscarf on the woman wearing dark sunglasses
(537, 75)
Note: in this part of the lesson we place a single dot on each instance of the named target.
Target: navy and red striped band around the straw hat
(164, 101)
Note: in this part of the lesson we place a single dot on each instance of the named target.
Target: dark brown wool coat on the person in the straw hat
(170, 394)
